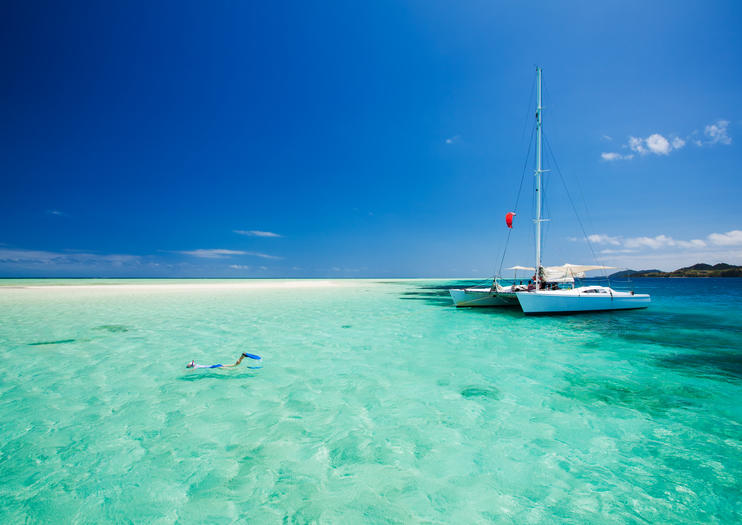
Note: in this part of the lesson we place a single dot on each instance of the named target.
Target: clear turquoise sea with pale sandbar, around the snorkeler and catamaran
(378, 402)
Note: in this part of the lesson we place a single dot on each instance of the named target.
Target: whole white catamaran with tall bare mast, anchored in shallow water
(552, 288)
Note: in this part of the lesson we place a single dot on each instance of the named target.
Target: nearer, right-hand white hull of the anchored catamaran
(557, 302)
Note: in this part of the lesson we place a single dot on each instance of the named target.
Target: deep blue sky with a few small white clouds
(349, 139)
